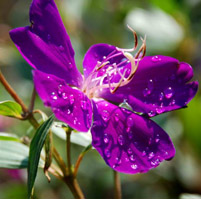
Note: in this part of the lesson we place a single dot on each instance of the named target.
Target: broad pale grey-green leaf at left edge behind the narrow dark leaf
(13, 155)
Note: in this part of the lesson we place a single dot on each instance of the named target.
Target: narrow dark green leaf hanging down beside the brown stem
(35, 150)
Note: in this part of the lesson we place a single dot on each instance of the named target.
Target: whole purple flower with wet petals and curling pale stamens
(128, 142)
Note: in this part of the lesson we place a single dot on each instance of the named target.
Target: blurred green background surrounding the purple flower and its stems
(173, 28)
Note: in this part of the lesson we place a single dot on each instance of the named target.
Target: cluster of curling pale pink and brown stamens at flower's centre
(115, 70)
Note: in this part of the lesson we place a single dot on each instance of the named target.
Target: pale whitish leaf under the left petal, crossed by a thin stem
(80, 138)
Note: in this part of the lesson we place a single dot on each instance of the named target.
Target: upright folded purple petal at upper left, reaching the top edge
(45, 45)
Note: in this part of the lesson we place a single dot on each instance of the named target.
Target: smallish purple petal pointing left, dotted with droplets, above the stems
(69, 105)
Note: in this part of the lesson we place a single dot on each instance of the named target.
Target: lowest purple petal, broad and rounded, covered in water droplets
(128, 143)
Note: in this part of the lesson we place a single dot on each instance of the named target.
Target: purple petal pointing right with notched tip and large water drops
(160, 84)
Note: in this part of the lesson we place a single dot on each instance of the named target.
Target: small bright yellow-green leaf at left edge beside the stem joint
(11, 109)
